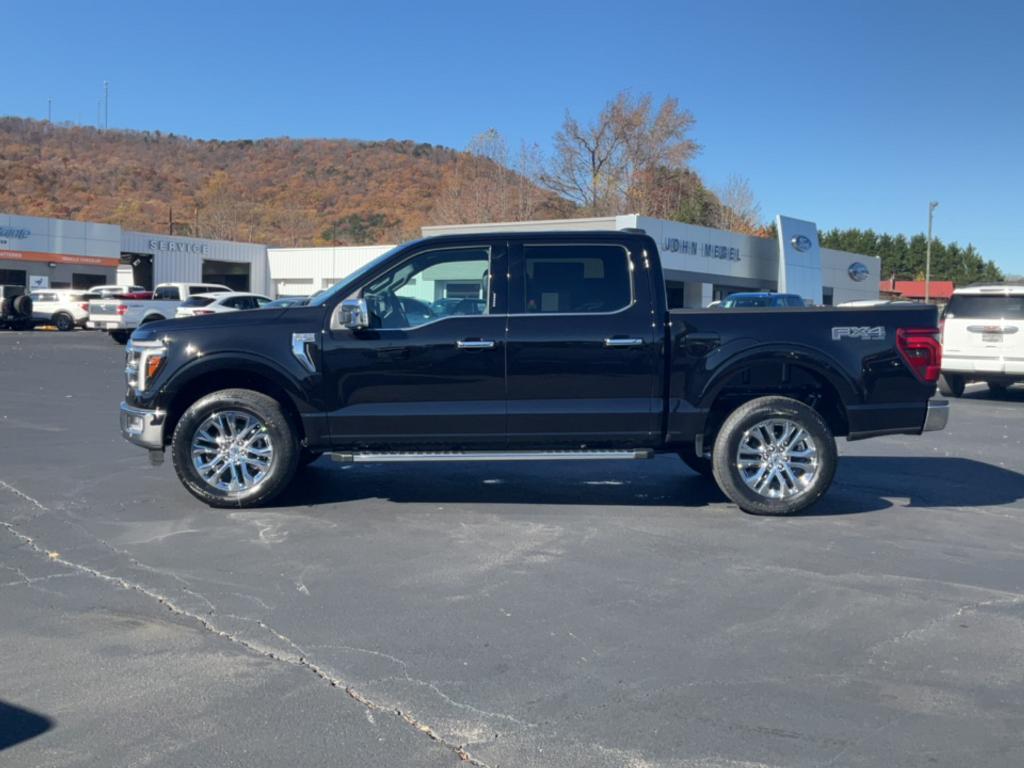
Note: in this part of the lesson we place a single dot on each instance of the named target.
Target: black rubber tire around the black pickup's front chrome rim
(279, 431)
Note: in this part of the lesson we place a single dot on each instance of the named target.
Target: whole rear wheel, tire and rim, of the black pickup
(775, 456)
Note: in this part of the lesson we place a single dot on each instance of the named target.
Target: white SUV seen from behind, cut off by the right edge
(984, 338)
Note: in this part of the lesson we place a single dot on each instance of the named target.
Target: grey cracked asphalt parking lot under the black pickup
(571, 615)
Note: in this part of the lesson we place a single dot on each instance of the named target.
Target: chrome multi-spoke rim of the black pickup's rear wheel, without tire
(778, 459)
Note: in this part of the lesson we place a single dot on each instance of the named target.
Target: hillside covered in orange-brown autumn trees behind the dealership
(278, 191)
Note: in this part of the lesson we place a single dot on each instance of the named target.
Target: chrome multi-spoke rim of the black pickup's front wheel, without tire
(232, 451)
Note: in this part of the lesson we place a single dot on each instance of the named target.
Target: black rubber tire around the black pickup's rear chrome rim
(730, 477)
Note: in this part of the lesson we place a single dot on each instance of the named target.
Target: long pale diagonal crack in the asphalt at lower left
(298, 661)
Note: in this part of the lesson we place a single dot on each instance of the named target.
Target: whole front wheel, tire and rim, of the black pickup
(235, 448)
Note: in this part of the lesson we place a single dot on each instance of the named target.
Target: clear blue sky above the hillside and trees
(850, 114)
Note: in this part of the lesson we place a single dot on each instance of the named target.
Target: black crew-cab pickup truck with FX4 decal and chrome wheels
(527, 347)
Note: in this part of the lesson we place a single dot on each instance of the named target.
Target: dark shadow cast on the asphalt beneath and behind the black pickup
(863, 485)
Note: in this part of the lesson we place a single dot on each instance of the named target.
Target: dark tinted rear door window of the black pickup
(576, 279)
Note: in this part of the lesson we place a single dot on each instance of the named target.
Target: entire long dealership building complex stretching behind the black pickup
(701, 265)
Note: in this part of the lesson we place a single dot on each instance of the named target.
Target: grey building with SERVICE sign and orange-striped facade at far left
(57, 253)
